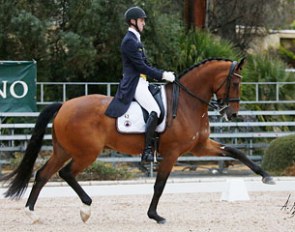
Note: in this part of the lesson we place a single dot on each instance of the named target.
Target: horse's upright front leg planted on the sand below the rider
(162, 176)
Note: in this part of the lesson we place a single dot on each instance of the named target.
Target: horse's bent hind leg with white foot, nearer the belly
(68, 173)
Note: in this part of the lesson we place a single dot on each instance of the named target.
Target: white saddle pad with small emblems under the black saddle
(133, 122)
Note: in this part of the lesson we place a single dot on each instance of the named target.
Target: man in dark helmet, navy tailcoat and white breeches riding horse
(134, 84)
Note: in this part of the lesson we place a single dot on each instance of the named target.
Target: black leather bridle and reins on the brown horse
(177, 85)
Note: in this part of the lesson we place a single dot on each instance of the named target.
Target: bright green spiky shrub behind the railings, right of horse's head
(267, 68)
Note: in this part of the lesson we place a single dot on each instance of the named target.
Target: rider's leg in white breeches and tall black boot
(147, 101)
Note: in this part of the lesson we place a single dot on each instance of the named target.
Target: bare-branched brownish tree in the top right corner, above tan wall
(239, 21)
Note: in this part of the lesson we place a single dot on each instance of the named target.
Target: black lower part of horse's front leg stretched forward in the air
(237, 154)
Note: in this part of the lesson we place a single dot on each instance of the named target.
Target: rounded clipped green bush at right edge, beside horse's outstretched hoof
(280, 155)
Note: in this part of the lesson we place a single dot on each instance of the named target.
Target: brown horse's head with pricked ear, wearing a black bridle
(227, 90)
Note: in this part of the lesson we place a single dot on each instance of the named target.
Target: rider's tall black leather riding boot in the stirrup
(150, 128)
